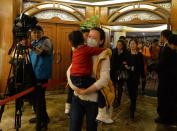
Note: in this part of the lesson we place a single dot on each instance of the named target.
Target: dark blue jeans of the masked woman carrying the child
(79, 108)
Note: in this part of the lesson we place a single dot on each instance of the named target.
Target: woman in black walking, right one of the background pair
(135, 67)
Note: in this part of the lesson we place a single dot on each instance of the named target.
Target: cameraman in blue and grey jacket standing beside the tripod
(41, 58)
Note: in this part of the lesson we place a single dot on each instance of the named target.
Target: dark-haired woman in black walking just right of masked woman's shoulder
(118, 59)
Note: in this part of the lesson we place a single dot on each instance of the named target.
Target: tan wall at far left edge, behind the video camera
(7, 13)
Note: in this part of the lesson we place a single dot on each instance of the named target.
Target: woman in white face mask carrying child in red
(85, 101)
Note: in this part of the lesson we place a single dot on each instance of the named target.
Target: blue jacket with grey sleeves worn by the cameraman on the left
(42, 62)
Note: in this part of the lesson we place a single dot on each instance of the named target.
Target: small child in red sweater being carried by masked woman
(81, 66)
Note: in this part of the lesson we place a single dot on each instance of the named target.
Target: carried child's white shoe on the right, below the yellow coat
(104, 116)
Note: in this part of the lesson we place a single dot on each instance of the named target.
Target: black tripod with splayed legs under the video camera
(18, 78)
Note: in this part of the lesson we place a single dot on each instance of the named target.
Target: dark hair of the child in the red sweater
(76, 38)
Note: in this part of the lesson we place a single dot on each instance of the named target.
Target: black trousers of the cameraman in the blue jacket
(39, 104)
